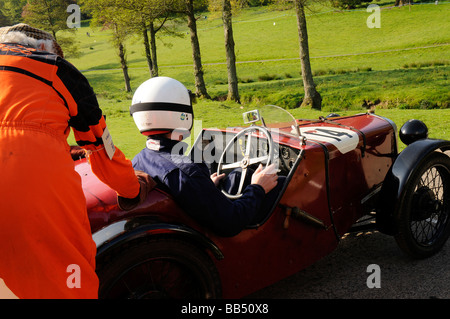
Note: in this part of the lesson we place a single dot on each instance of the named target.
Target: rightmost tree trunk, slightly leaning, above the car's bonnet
(312, 97)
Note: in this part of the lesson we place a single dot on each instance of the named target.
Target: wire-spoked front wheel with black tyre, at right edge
(424, 216)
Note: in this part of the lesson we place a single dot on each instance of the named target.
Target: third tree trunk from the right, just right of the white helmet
(200, 87)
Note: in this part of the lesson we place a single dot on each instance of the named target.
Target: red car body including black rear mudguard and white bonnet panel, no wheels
(329, 188)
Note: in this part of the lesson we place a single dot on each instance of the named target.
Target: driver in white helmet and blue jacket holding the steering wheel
(162, 110)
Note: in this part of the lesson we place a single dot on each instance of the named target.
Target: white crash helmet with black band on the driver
(161, 105)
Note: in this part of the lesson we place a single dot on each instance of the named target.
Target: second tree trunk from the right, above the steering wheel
(233, 93)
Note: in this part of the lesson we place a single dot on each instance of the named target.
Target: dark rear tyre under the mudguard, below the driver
(163, 268)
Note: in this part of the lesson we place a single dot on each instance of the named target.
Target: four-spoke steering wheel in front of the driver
(247, 160)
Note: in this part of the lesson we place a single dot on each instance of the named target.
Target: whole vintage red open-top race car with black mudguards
(342, 174)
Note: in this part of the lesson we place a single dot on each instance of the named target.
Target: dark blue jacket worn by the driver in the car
(192, 188)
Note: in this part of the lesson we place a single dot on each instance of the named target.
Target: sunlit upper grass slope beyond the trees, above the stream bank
(262, 34)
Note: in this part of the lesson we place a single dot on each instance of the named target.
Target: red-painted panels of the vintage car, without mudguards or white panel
(256, 258)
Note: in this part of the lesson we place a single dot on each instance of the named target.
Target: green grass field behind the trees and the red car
(402, 68)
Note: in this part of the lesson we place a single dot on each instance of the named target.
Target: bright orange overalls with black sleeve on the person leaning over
(46, 246)
